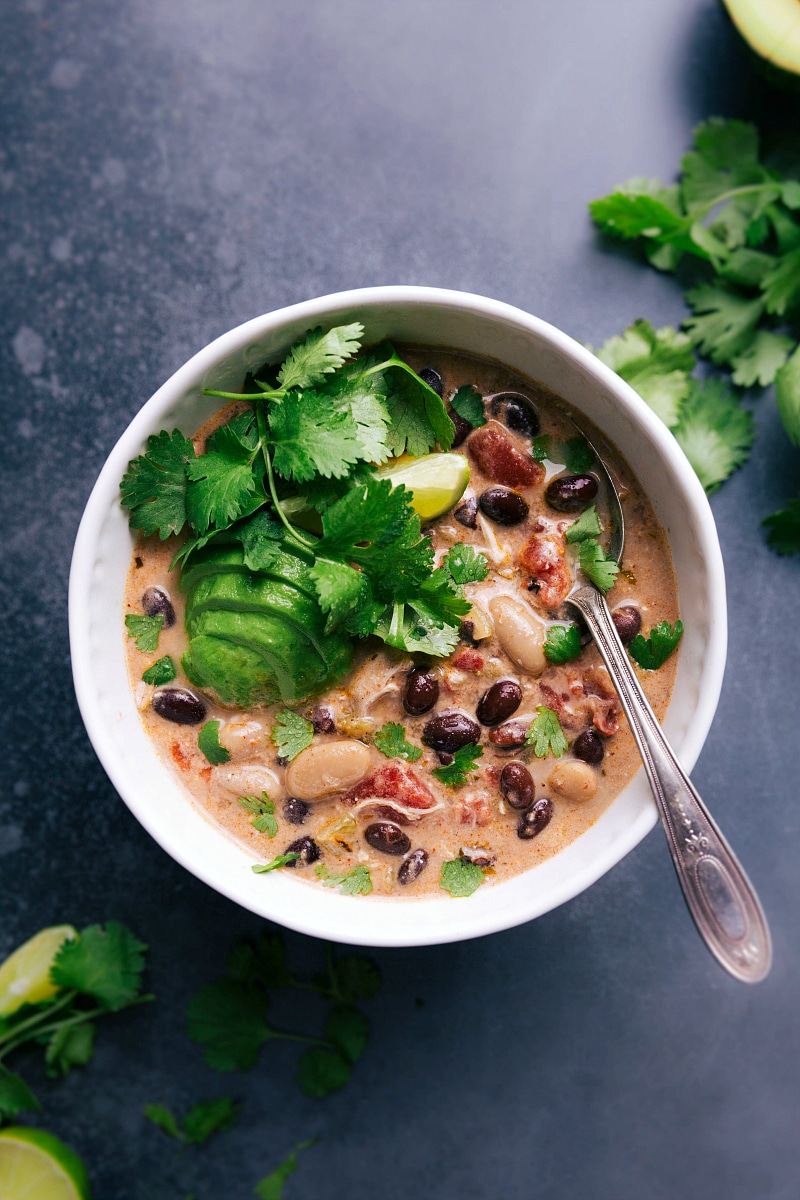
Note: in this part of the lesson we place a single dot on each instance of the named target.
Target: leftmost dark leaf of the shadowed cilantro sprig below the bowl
(228, 1019)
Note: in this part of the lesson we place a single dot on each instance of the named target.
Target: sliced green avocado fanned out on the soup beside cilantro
(258, 637)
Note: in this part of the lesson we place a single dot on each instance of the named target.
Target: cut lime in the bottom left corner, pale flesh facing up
(37, 1166)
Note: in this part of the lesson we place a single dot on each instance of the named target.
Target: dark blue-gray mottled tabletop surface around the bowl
(169, 170)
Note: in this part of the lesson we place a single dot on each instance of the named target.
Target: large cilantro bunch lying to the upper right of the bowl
(732, 227)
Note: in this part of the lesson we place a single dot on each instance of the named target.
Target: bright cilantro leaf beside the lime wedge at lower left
(106, 964)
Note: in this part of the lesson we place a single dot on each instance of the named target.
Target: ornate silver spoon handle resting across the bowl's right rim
(720, 897)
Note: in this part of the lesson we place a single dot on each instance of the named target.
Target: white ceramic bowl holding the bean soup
(104, 550)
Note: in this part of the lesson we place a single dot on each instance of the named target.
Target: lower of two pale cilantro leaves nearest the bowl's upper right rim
(714, 433)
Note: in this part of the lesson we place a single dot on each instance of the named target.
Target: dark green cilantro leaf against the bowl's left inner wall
(154, 487)
